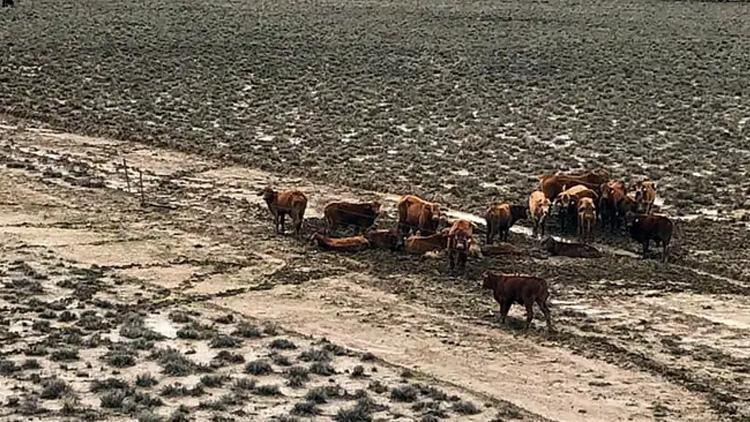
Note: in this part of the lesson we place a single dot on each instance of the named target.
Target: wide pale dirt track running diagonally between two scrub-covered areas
(647, 341)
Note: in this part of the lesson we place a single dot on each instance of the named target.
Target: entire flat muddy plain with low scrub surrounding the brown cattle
(464, 102)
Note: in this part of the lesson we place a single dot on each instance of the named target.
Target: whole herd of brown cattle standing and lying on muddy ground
(580, 200)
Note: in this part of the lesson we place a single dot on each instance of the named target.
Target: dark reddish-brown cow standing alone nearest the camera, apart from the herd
(524, 290)
